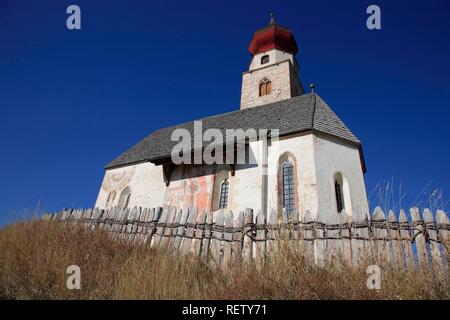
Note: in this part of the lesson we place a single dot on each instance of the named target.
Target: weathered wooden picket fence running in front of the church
(224, 238)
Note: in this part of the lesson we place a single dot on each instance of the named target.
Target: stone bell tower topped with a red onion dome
(273, 70)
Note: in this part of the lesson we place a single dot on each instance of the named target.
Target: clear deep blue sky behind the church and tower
(71, 101)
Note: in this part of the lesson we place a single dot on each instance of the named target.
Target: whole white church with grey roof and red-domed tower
(318, 161)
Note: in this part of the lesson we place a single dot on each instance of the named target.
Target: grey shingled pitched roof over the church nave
(298, 114)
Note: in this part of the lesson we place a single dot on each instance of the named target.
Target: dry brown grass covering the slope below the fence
(34, 257)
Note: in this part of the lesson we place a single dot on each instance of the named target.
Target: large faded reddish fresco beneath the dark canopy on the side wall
(190, 187)
